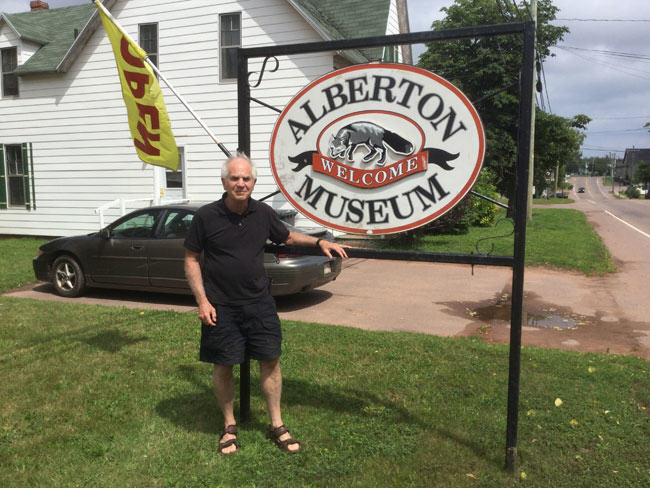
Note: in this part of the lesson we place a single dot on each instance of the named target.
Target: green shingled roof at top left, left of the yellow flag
(56, 30)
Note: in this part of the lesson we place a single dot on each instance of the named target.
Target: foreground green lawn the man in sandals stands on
(108, 396)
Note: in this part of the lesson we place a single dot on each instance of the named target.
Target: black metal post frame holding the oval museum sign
(516, 261)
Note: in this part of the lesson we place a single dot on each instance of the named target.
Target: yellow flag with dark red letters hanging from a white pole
(148, 119)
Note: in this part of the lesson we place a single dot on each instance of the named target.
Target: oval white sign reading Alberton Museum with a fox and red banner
(377, 148)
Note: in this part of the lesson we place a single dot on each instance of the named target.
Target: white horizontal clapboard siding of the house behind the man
(77, 124)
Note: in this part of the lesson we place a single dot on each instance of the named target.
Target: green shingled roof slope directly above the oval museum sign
(337, 20)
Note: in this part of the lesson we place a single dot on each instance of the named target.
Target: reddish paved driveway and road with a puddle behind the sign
(564, 309)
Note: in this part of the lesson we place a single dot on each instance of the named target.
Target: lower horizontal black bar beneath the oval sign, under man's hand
(431, 257)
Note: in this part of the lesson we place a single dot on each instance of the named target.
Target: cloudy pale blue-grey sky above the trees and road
(600, 69)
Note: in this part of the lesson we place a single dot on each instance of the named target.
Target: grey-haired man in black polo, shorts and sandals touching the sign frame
(235, 306)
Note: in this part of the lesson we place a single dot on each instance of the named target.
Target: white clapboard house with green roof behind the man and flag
(65, 147)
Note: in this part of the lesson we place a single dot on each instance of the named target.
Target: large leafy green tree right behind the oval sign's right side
(487, 71)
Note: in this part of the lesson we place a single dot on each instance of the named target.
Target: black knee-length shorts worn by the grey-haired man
(251, 330)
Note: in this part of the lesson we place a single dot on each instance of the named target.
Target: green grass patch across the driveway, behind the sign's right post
(554, 237)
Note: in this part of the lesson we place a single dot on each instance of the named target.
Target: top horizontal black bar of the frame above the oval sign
(375, 41)
